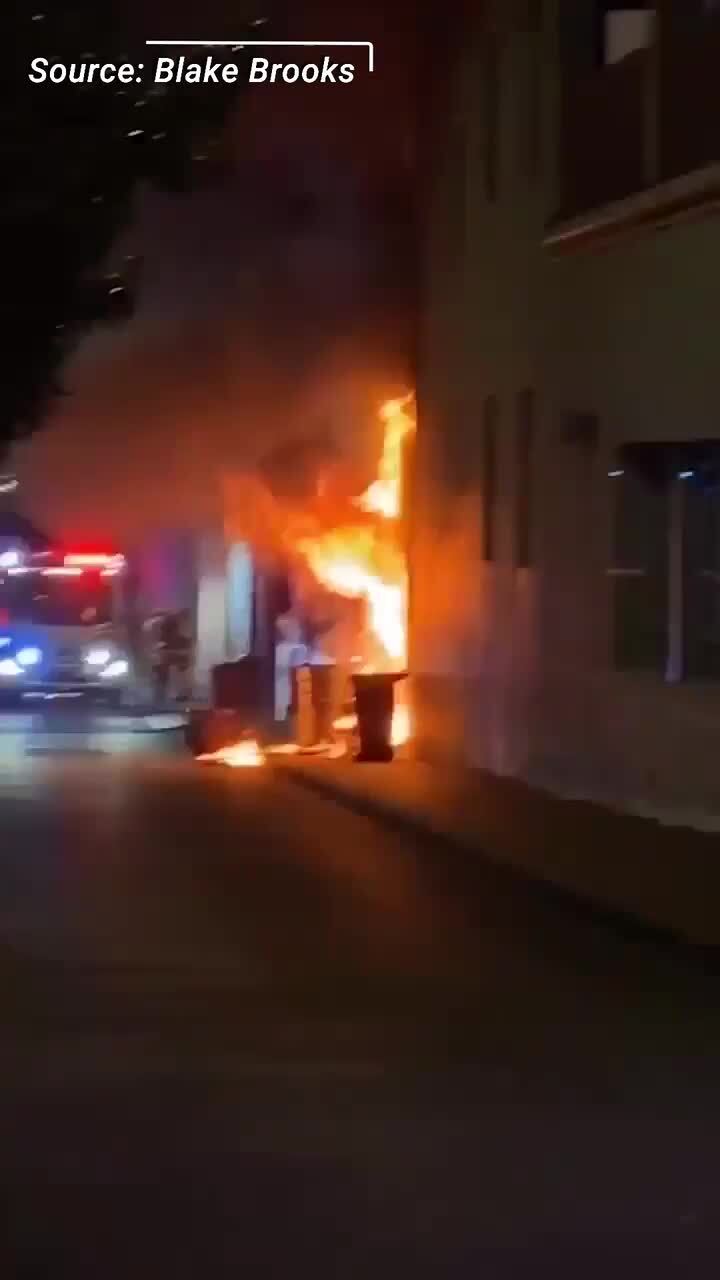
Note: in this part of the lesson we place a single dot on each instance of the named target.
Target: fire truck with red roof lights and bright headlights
(62, 627)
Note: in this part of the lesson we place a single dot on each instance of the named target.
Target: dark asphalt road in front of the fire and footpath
(247, 1032)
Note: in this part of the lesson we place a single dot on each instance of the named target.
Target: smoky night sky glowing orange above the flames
(275, 309)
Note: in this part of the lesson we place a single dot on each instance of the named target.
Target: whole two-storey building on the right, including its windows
(566, 559)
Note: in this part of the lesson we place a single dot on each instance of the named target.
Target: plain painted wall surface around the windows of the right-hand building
(512, 669)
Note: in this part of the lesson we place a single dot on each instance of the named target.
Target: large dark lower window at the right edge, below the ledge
(667, 565)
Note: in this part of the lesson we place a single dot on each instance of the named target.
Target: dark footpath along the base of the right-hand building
(636, 870)
